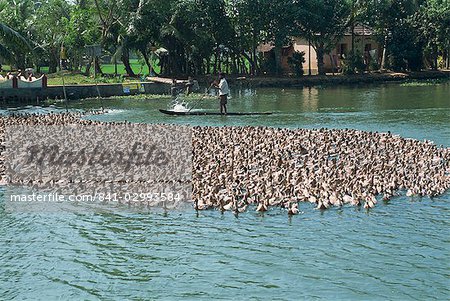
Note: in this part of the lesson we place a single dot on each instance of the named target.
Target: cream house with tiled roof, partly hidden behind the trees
(365, 43)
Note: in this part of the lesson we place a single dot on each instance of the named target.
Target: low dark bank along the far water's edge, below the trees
(161, 87)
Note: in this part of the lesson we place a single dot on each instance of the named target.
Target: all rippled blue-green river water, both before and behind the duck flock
(400, 250)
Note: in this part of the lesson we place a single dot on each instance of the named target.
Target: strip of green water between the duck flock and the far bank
(416, 112)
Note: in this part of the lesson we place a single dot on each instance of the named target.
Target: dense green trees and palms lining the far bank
(204, 36)
